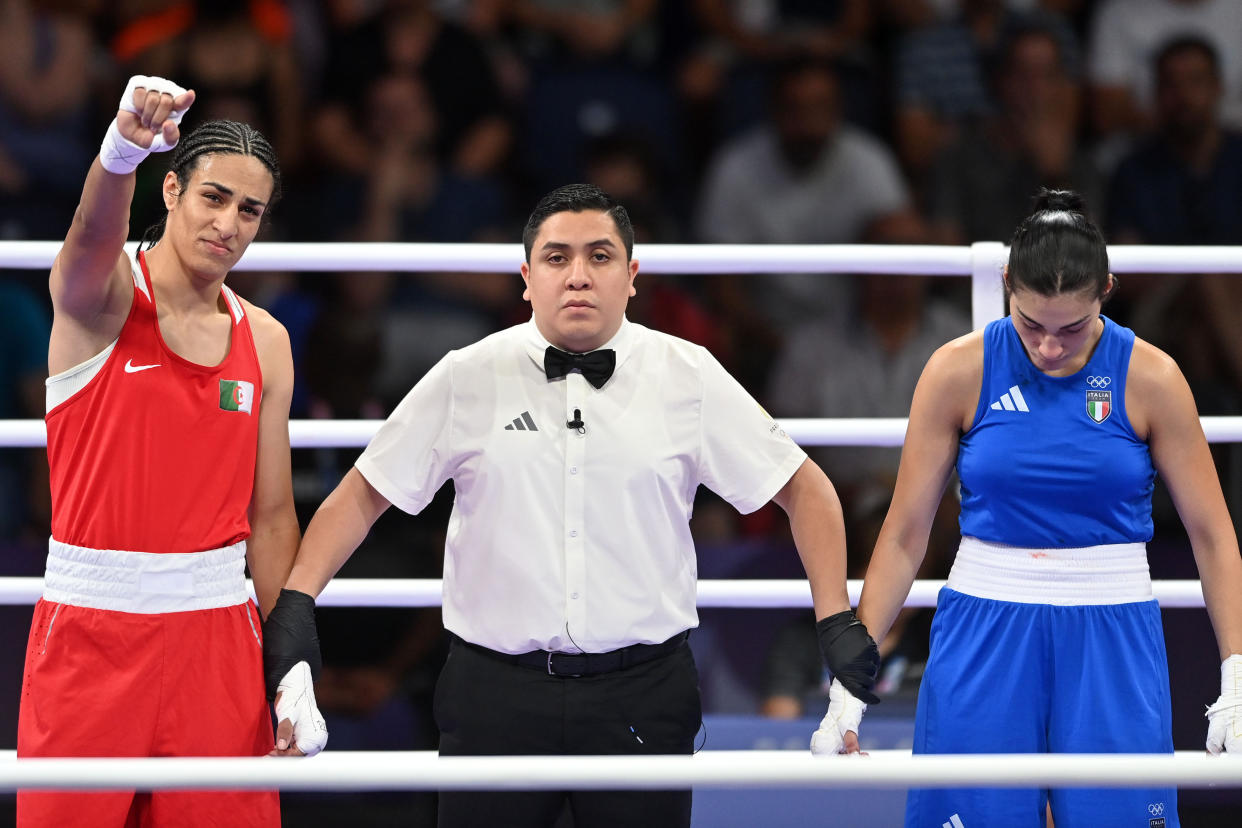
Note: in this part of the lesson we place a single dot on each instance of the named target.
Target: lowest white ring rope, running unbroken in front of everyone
(425, 772)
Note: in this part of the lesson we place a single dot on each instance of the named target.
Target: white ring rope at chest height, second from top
(840, 431)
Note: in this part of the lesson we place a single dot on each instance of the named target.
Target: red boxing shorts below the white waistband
(107, 683)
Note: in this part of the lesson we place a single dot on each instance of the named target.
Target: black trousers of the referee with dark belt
(490, 708)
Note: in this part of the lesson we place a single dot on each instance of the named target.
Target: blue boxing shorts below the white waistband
(1036, 678)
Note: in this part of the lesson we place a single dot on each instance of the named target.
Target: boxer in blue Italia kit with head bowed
(1046, 637)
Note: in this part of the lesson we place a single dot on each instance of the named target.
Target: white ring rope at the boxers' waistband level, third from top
(715, 595)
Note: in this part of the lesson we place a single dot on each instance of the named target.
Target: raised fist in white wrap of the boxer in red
(148, 121)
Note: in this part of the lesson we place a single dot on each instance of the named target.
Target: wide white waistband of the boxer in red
(146, 583)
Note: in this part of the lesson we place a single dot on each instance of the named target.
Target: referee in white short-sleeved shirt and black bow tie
(576, 444)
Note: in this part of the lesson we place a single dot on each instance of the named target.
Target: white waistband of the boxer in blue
(1084, 575)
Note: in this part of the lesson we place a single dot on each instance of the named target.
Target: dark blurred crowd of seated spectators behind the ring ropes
(712, 121)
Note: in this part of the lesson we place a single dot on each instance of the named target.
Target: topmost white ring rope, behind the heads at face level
(930, 260)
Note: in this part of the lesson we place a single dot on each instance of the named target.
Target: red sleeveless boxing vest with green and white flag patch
(157, 454)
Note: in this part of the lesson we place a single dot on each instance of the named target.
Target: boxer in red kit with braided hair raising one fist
(168, 444)
